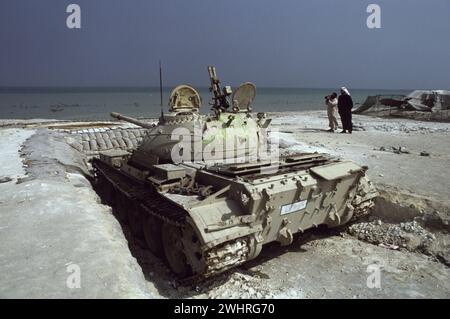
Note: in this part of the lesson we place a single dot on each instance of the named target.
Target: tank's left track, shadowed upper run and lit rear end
(216, 260)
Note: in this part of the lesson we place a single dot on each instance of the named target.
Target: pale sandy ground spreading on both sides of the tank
(64, 223)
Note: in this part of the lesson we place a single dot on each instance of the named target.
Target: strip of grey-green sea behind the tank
(97, 103)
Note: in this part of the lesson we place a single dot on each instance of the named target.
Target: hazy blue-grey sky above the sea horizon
(313, 43)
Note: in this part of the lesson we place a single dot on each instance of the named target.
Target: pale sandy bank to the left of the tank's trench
(51, 221)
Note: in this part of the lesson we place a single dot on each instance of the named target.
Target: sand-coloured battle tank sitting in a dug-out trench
(207, 192)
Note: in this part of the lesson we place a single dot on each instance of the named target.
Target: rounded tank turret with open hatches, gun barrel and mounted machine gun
(185, 135)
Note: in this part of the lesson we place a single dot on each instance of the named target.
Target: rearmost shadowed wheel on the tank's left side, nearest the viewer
(174, 250)
